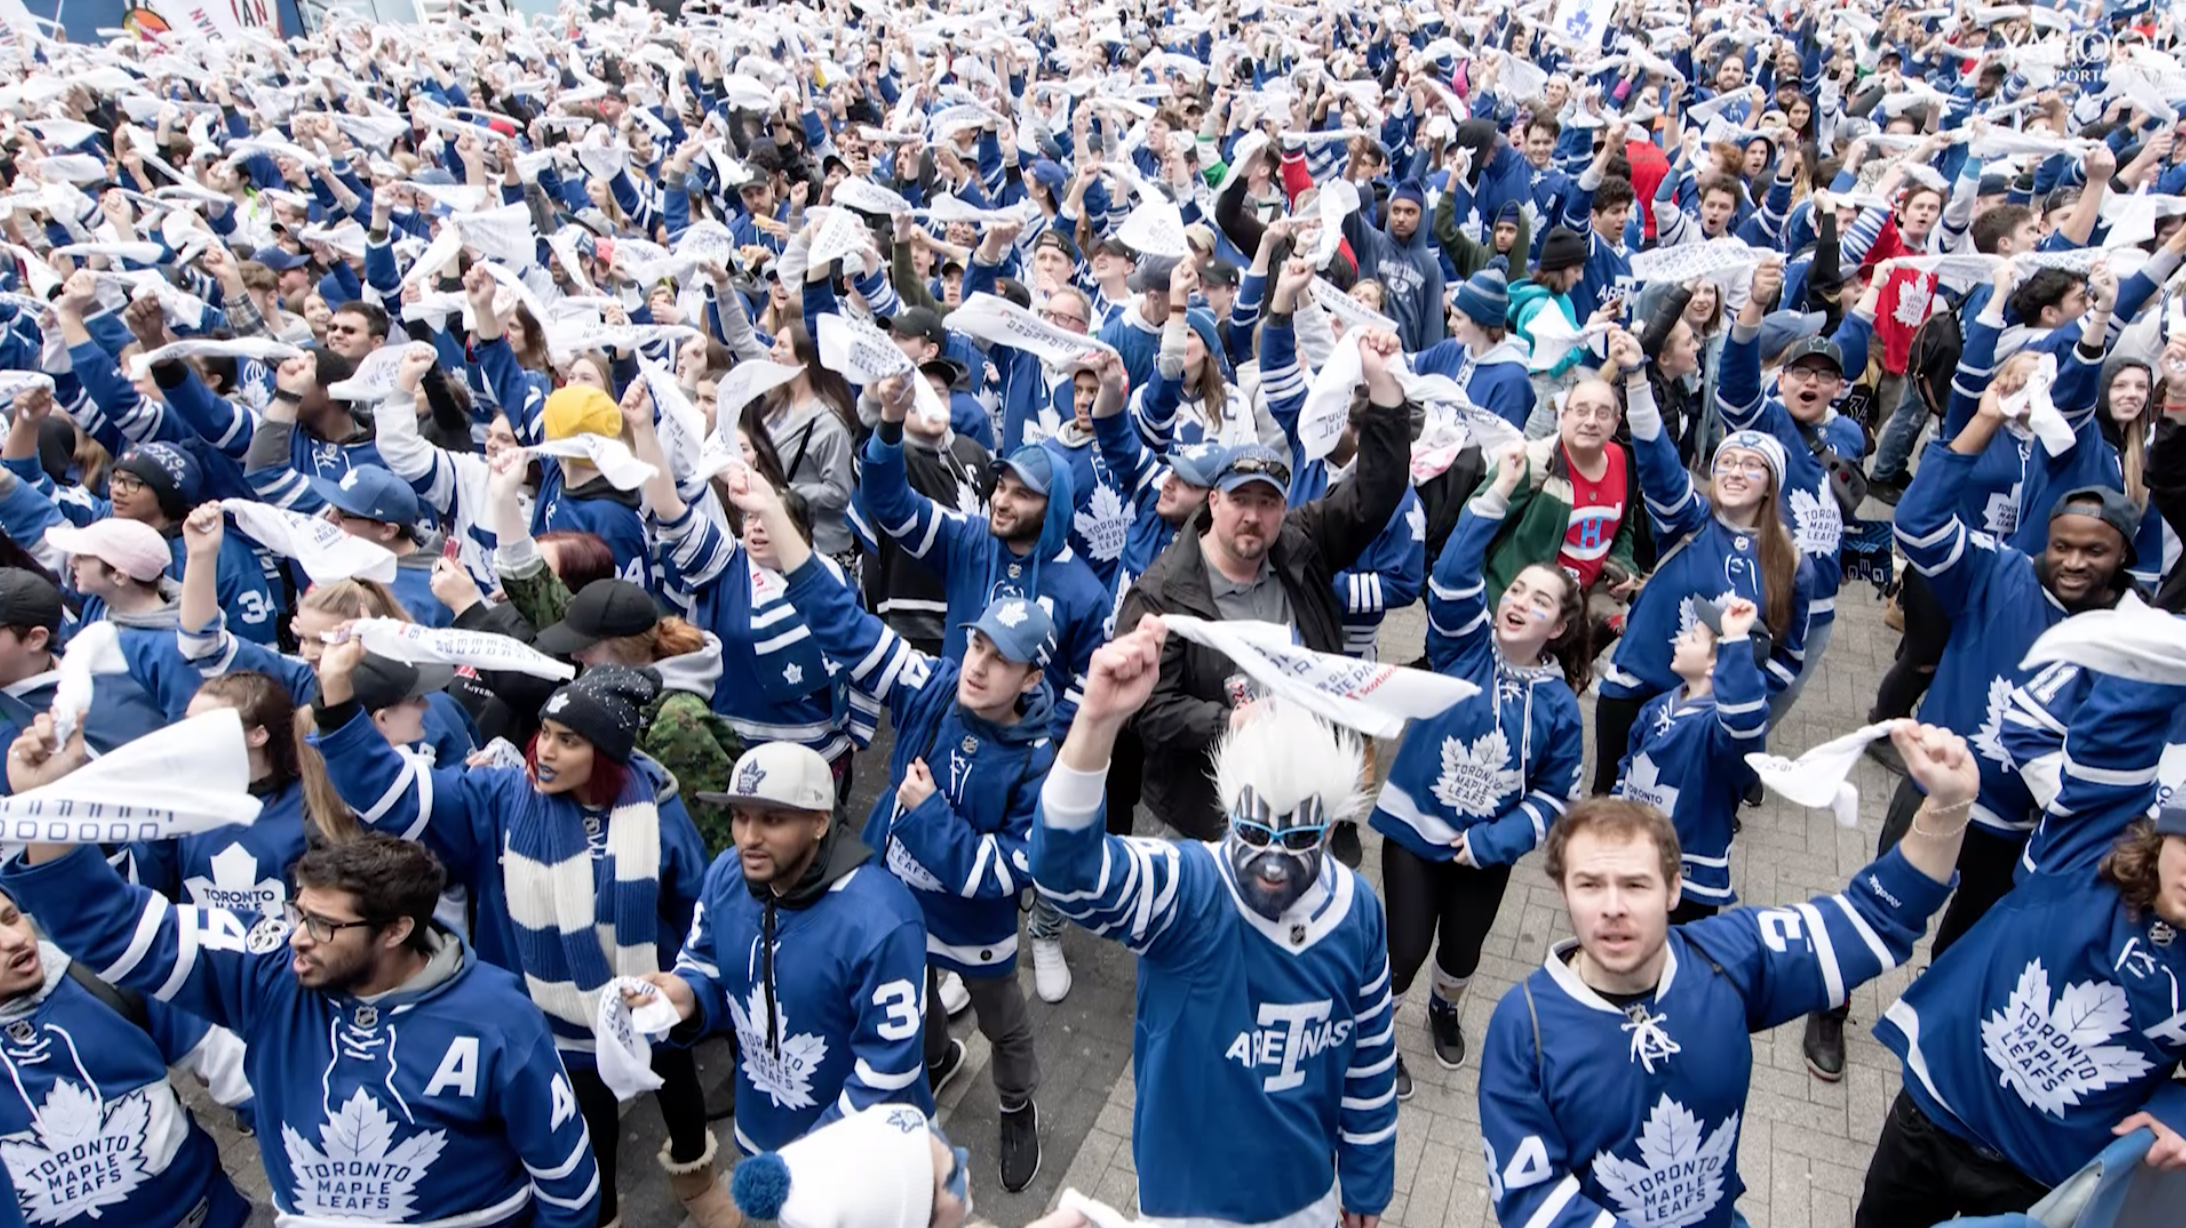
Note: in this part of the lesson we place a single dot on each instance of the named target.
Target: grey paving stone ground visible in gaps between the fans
(1805, 1144)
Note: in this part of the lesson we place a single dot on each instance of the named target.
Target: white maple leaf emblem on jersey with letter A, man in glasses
(360, 1164)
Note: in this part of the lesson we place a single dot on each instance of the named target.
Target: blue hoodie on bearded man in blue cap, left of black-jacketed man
(976, 567)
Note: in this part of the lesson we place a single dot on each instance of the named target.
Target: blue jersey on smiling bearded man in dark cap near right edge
(1997, 609)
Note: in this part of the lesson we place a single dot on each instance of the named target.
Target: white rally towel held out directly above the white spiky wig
(1372, 698)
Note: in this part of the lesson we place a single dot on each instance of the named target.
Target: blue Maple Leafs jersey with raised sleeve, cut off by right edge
(2058, 1015)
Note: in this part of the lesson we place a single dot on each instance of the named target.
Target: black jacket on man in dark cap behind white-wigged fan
(1190, 707)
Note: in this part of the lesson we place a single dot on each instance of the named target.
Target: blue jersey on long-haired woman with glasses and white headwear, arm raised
(1697, 558)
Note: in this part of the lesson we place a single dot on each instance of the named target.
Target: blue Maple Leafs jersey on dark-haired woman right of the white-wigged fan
(1501, 766)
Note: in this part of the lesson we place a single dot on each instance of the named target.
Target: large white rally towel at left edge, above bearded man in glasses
(185, 779)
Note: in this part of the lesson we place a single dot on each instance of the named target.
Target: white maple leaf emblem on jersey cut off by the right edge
(2054, 1054)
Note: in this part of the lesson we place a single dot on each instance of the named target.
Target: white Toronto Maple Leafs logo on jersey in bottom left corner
(80, 1155)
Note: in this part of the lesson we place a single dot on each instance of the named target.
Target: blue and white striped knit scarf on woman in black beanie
(569, 936)
